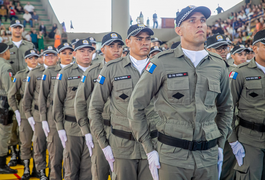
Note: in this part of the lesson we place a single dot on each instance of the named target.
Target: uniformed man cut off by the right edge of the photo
(247, 88)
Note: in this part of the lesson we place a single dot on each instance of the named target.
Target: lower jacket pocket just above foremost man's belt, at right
(211, 131)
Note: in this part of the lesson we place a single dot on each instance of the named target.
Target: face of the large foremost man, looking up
(193, 30)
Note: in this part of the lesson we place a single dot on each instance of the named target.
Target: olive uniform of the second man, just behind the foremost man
(116, 82)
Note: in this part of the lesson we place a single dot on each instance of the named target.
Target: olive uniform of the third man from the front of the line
(100, 167)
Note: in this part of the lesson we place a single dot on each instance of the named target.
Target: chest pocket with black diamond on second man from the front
(123, 90)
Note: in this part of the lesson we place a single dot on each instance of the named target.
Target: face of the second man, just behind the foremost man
(140, 44)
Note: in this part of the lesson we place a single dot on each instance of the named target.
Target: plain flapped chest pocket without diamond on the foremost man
(213, 91)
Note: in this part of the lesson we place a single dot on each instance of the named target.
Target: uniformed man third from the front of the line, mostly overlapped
(112, 49)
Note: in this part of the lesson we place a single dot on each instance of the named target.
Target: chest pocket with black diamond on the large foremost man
(178, 90)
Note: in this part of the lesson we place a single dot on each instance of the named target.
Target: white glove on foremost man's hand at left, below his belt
(154, 165)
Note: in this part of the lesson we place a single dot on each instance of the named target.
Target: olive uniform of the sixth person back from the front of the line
(31, 108)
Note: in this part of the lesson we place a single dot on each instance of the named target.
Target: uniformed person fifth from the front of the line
(55, 147)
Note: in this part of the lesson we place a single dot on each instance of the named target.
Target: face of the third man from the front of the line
(112, 51)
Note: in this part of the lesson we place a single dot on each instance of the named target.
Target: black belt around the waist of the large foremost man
(185, 144)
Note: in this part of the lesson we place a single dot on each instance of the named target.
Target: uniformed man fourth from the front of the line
(77, 161)
